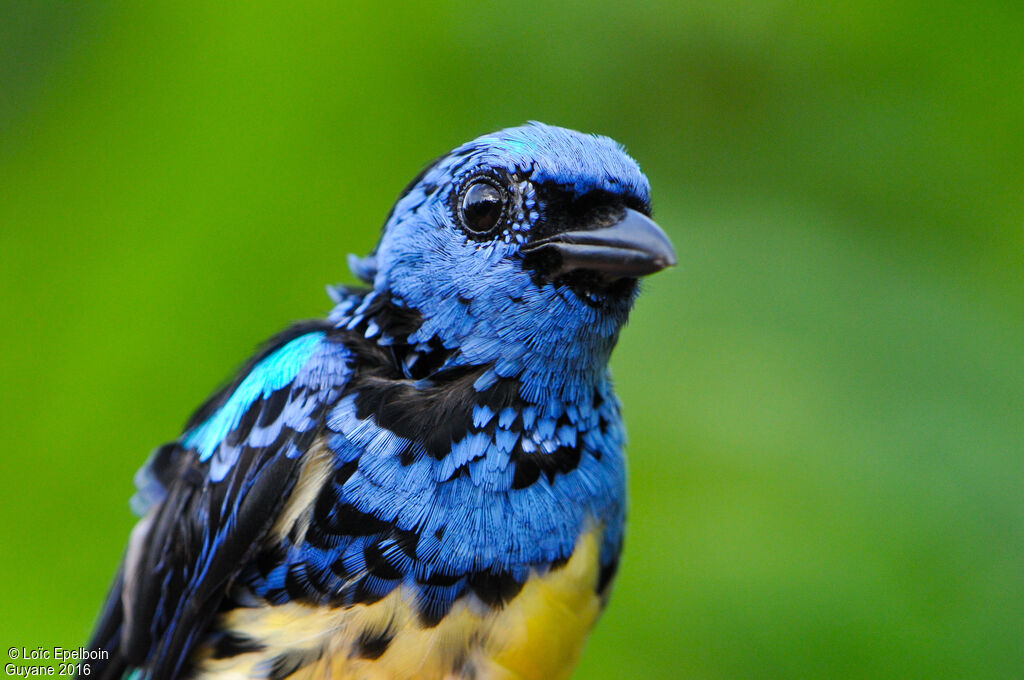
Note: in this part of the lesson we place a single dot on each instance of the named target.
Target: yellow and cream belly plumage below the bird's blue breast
(539, 634)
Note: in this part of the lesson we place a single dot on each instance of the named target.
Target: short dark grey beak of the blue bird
(634, 246)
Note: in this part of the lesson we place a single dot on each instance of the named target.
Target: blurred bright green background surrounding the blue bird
(826, 399)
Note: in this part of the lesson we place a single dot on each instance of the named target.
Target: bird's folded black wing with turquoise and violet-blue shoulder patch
(209, 498)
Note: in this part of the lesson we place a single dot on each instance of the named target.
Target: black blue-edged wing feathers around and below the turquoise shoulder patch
(197, 537)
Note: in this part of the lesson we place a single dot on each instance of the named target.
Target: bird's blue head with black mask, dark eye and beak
(528, 237)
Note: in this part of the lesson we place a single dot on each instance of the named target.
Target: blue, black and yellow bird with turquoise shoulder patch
(430, 482)
